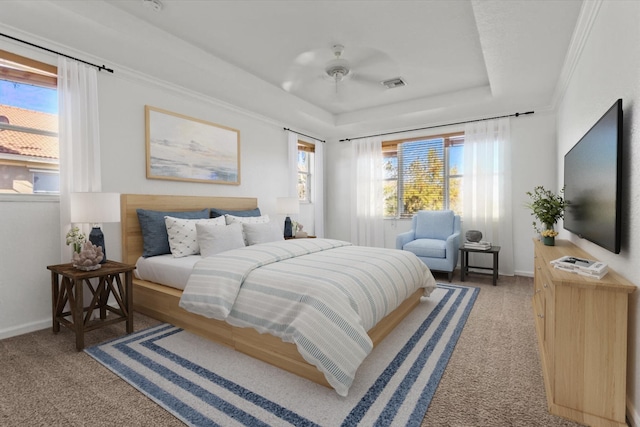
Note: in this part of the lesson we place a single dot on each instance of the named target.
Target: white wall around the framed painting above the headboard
(263, 145)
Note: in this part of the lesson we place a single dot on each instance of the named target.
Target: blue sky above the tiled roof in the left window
(29, 97)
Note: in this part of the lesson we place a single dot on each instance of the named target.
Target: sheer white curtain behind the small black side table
(487, 187)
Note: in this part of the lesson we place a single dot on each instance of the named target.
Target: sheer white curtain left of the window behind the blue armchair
(367, 227)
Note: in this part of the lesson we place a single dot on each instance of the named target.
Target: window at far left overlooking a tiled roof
(28, 126)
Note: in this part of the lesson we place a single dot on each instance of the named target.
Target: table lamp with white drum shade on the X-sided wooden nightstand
(95, 209)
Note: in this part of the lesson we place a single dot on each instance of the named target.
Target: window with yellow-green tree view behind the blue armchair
(422, 173)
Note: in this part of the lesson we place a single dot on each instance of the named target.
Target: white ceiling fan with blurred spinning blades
(362, 74)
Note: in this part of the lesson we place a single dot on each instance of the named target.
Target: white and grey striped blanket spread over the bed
(322, 295)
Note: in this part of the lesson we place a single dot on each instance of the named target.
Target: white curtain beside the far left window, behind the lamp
(79, 138)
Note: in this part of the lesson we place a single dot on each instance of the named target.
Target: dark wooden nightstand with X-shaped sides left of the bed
(67, 288)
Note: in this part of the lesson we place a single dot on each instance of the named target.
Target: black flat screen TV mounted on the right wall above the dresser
(592, 180)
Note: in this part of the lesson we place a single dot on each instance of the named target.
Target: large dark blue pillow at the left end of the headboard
(155, 239)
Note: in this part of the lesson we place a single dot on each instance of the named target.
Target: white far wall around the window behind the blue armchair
(533, 150)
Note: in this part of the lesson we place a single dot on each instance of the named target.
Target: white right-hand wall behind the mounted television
(608, 70)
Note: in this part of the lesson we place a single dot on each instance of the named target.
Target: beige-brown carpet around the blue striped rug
(493, 377)
